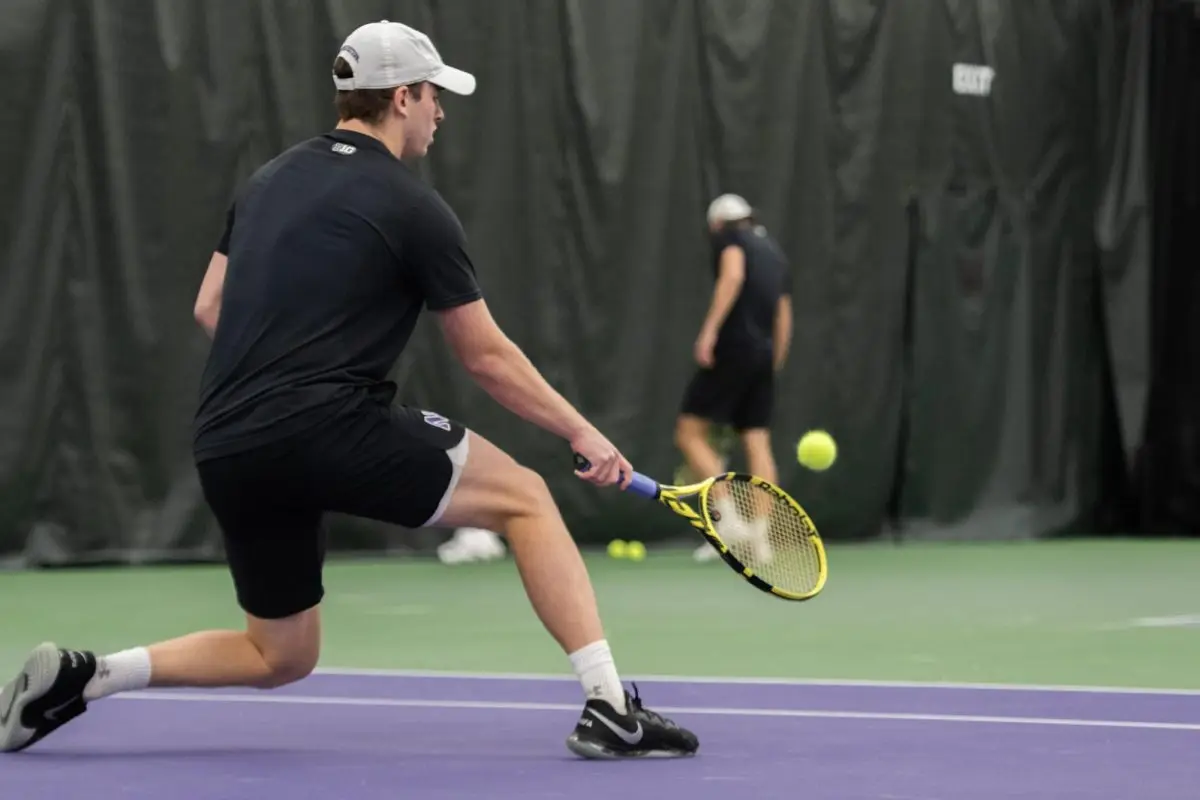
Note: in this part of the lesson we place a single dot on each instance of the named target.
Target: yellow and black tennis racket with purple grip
(761, 533)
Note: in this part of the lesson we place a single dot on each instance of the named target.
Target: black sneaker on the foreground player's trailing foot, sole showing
(46, 695)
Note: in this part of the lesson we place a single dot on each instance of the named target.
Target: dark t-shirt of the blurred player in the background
(749, 329)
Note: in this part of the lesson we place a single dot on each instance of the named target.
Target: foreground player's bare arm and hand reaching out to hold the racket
(505, 372)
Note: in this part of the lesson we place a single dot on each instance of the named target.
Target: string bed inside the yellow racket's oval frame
(766, 533)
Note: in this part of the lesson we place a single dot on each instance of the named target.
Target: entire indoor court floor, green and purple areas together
(925, 672)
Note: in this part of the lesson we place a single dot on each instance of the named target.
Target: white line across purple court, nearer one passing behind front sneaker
(374, 702)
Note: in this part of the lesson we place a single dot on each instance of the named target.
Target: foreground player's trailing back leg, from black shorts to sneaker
(275, 554)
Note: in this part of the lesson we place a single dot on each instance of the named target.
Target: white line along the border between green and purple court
(763, 682)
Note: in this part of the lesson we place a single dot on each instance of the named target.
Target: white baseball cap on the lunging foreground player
(388, 55)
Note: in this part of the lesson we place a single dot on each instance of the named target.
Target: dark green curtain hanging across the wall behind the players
(962, 187)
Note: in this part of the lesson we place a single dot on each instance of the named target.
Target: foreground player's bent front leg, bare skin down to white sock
(496, 494)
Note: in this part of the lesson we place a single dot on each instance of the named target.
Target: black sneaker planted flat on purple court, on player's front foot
(641, 733)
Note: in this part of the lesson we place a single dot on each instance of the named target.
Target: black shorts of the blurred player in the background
(740, 393)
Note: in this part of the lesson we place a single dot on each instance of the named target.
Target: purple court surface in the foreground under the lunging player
(368, 737)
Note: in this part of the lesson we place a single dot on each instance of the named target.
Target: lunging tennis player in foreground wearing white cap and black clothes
(328, 256)
